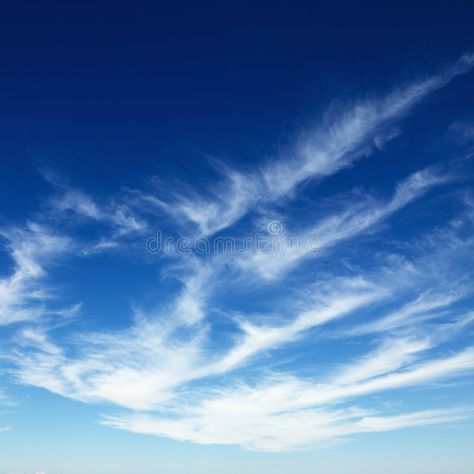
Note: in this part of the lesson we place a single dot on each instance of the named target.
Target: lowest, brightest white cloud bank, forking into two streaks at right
(292, 414)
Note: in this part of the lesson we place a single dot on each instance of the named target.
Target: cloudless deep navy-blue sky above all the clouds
(92, 86)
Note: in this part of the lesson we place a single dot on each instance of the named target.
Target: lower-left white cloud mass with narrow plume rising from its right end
(136, 368)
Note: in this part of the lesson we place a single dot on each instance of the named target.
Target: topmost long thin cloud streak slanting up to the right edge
(351, 134)
